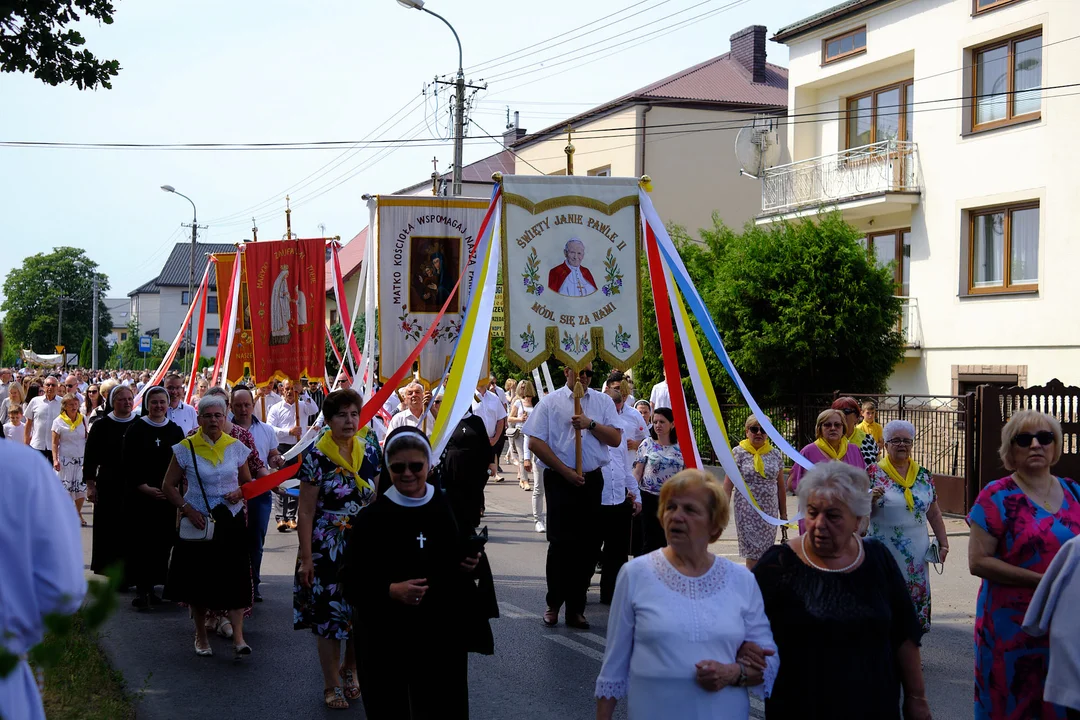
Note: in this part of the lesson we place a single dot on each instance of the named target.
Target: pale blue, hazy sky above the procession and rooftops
(274, 72)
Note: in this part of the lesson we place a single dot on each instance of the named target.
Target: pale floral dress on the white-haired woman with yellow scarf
(904, 533)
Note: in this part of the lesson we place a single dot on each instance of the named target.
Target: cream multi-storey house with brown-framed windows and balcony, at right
(938, 128)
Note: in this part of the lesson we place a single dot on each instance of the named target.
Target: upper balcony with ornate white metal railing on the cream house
(872, 180)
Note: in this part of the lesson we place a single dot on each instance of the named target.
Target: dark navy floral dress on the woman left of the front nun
(323, 607)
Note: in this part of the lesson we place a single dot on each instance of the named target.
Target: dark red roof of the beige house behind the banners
(722, 81)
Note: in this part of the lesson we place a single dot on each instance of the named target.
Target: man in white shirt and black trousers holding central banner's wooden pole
(574, 498)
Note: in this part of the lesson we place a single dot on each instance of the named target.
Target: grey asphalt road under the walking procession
(536, 673)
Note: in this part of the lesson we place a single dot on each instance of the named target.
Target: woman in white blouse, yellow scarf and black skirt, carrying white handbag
(214, 575)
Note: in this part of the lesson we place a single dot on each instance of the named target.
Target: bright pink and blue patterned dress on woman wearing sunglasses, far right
(1011, 665)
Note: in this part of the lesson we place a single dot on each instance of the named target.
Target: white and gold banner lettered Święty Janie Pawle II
(571, 269)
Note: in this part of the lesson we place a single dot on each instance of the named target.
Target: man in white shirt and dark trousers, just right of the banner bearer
(622, 500)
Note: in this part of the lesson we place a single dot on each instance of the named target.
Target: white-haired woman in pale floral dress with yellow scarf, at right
(904, 500)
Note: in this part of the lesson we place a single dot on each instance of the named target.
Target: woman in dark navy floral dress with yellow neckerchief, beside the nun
(339, 479)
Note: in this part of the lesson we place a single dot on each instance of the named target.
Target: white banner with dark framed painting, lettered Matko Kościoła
(425, 244)
